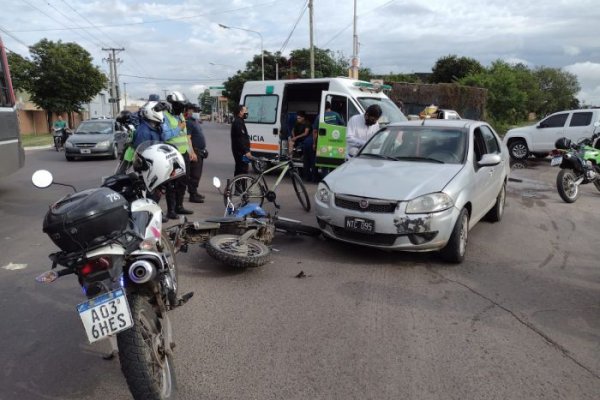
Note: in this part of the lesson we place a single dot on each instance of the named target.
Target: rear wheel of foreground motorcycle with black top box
(147, 367)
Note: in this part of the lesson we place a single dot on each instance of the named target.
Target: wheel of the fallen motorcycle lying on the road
(228, 250)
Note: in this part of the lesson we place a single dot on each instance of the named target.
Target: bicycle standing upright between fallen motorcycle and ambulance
(244, 189)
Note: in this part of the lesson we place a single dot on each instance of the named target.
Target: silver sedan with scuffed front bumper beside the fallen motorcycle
(417, 186)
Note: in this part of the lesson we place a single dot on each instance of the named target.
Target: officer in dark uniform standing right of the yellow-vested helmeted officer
(194, 130)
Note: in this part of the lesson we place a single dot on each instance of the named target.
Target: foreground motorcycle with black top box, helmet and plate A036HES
(112, 239)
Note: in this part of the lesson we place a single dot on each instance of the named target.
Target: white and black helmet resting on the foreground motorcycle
(158, 163)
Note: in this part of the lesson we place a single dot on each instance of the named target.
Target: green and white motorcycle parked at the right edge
(579, 163)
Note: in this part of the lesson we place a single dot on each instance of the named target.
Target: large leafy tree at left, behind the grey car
(61, 77)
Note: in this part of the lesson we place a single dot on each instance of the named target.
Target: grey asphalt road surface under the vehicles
(519, 319)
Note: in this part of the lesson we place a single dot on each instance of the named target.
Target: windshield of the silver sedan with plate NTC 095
(418, 143)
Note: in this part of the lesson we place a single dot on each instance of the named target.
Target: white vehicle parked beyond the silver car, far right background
(539, 139)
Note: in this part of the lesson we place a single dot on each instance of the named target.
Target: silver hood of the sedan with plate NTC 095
(390, 180)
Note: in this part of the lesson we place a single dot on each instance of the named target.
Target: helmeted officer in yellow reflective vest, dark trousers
(175, 133)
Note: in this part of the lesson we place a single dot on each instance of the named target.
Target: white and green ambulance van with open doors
(272, 107)
